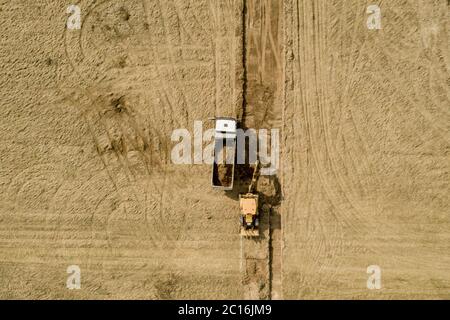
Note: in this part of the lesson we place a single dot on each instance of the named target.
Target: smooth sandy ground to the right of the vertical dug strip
(366, 166)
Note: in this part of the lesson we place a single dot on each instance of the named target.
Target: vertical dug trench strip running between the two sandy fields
(261, 258)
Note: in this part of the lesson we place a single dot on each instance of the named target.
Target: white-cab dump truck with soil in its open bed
(224, 153)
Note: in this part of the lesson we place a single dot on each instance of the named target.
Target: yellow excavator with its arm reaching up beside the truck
(248, 203)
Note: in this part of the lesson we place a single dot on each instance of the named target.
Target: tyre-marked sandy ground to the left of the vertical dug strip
(86, 177)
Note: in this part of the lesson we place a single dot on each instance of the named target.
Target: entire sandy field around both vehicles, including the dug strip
(86, 177)
